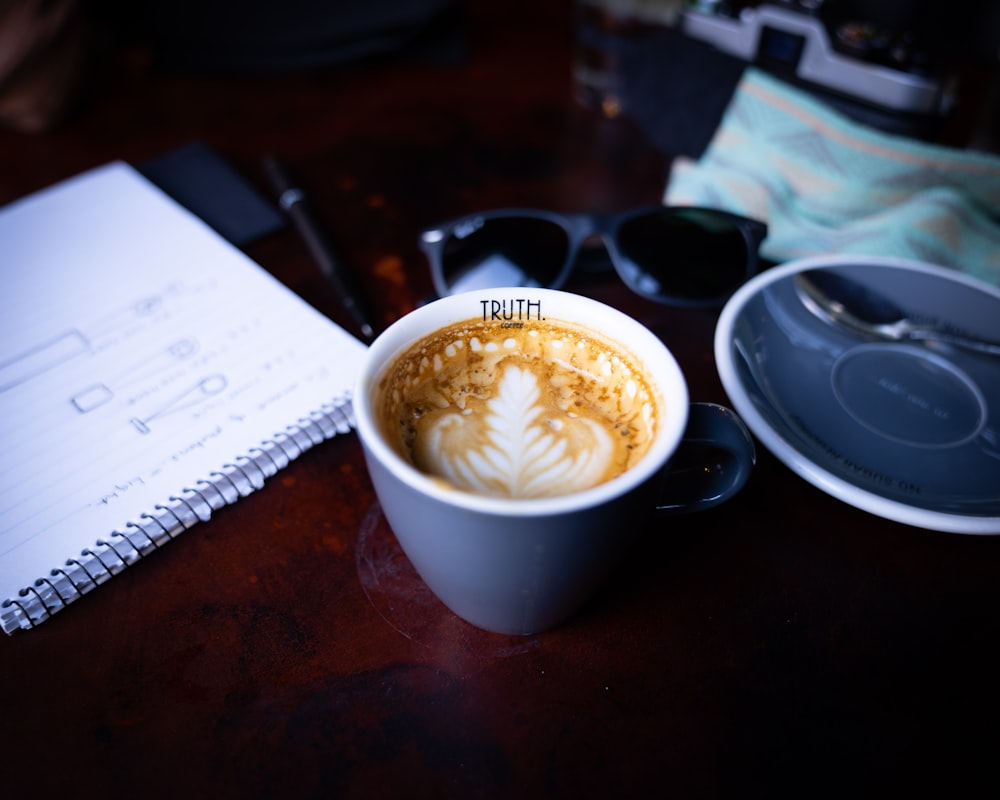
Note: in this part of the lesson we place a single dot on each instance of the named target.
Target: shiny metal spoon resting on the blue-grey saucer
(843, 301)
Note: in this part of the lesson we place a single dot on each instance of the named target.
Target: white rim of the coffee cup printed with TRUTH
(656, 359)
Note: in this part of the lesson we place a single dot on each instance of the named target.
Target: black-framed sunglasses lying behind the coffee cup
(677, 255)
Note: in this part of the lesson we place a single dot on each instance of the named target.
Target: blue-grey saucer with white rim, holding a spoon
(907, 431)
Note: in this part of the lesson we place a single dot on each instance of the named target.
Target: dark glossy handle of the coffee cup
(711, 464)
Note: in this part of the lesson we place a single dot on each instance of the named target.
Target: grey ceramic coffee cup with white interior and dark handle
(521, 566)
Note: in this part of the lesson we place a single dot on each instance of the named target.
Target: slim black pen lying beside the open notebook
(292, 201)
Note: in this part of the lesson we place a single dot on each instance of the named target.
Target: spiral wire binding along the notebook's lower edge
(239, 478)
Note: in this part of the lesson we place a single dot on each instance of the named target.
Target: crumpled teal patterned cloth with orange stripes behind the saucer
(825, 184)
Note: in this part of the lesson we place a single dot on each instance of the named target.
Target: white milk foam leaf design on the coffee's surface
(515, 449)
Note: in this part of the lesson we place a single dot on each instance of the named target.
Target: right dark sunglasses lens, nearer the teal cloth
(697, 256)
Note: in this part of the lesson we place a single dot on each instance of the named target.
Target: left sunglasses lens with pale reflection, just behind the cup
(484, 253)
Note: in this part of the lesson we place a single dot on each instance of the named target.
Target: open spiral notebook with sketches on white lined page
(150, 374)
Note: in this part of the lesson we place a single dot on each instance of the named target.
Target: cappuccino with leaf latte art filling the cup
(535, 410)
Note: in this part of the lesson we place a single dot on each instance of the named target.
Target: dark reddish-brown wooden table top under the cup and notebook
(784, 644)
